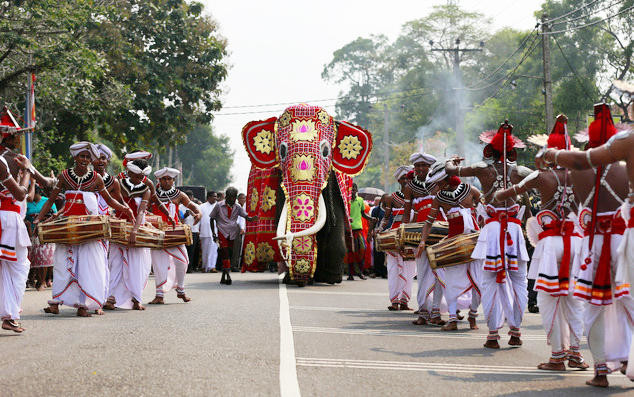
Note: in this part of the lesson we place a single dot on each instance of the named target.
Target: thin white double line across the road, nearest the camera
(436, 367)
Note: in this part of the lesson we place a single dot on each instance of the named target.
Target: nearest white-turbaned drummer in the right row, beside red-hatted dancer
(458, 200)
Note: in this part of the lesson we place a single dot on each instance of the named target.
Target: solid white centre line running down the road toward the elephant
(289, 386)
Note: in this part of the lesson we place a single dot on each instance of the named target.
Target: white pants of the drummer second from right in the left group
(129, 271)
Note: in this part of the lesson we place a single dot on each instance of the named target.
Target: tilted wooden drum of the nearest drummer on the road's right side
(452, 251)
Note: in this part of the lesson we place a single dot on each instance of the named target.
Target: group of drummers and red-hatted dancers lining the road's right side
(583, 235)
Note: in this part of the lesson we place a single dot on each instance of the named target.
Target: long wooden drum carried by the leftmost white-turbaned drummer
(74, 229)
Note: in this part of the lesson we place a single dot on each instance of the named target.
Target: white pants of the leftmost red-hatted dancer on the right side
(504, 300)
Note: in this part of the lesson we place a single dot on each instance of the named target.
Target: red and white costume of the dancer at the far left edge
(14, 243)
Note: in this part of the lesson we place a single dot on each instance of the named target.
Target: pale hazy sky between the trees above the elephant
(278, 48)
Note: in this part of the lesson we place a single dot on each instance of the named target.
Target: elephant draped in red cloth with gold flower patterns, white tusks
(308, 159)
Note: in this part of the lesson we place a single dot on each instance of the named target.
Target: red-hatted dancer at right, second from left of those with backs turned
(555, 252)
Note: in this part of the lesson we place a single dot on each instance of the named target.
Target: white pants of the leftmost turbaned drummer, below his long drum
(80, 275)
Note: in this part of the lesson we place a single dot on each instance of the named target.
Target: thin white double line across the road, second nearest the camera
(417, 334)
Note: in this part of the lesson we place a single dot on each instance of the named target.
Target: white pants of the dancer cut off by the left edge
(13, 277)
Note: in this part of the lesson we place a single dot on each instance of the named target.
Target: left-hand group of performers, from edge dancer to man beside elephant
(98, 275)
